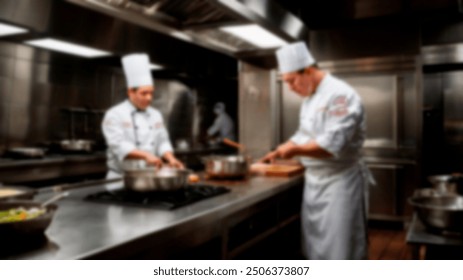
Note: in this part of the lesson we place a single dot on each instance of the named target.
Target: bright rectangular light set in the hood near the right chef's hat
(255, 35)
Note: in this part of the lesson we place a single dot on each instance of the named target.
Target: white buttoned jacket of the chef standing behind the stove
(125, 129)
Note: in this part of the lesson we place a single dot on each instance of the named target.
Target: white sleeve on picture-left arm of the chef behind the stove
(113, 132)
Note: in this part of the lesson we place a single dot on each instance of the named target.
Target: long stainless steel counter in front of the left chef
(83, 229)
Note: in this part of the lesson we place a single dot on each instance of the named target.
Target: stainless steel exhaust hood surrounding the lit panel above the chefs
(201, 22)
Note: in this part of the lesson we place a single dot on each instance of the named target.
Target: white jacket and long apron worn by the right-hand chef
(334, 204)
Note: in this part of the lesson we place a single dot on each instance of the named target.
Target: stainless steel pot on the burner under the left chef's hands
(141, 178)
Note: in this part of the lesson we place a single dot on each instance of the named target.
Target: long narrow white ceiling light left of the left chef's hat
(65, 47)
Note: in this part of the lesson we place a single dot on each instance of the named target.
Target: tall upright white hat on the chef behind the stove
(137, 70)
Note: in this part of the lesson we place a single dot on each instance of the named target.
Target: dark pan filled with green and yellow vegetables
(24, 218)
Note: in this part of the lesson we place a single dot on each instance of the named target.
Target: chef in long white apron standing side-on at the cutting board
(328, 141)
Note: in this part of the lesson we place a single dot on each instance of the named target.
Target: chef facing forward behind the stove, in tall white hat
(133, 129)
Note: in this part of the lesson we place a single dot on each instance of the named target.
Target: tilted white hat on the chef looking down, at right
(294, 57)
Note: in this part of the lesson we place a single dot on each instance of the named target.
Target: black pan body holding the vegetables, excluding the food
(26, 228)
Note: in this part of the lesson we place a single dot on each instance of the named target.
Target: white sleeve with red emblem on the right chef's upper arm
(342, 118)
